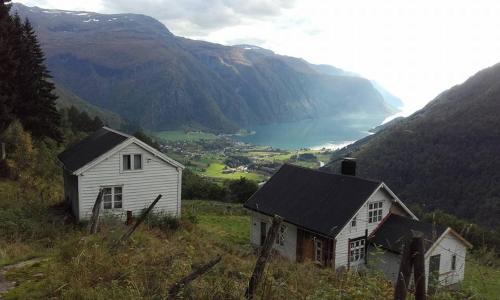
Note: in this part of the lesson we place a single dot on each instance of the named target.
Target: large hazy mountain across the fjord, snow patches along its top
(131, 64)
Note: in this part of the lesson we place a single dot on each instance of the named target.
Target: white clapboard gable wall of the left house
(140, 188)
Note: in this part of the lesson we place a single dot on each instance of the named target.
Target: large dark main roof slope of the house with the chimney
(319, 201)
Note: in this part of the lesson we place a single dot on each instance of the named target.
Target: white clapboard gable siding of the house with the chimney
(349, 232)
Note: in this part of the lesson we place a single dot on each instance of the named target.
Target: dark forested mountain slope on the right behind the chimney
(444, 156)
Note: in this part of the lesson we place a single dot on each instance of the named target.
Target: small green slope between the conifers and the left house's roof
(66, 99)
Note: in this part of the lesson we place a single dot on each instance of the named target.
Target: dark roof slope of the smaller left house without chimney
(90, 148)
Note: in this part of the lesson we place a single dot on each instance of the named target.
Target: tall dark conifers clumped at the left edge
(26, 89)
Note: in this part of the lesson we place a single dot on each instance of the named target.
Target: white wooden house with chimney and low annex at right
(331, 219)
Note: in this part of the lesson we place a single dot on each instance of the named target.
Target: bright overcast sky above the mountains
(416, 49)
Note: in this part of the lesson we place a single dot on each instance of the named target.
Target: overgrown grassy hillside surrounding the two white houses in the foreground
(43, 254)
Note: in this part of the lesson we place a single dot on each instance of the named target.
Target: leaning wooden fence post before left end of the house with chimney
(260, 265)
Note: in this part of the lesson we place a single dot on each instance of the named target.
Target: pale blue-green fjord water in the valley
(325, 132)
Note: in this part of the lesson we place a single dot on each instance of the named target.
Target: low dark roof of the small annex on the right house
(394, 231)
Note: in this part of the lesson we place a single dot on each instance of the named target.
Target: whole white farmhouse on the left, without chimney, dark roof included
(130, 172)
